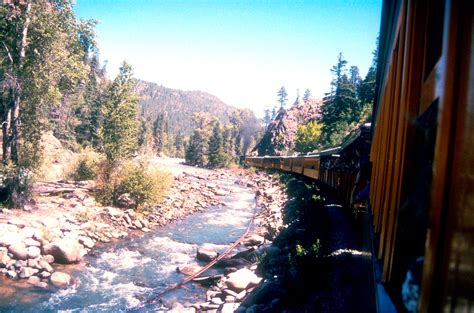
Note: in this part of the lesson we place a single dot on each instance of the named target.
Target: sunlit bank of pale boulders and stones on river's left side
(66, 223)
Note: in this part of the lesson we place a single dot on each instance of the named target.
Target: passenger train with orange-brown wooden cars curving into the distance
(419, 146)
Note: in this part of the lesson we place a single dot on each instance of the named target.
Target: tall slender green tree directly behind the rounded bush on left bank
(119, 131)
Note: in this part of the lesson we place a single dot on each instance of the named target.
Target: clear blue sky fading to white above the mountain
(240, 51)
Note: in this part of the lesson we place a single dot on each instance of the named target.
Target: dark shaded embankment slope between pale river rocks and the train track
(295, 259)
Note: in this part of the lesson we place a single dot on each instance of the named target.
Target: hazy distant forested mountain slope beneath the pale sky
(178, 106)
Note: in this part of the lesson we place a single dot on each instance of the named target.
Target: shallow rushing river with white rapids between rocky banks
(118, 276)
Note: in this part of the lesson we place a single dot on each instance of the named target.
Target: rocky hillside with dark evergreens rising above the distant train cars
(311, 124)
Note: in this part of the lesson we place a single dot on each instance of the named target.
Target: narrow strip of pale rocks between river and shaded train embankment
(239, 270)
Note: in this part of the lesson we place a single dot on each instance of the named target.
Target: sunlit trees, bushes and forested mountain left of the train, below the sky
(52, 85)
